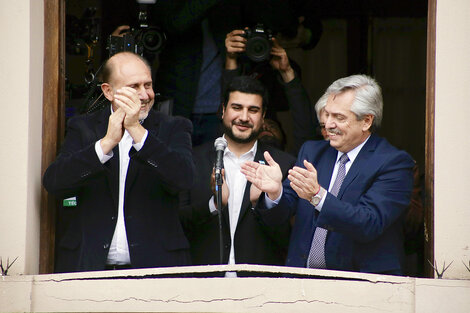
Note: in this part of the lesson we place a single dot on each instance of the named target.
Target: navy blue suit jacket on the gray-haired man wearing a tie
(365, 220)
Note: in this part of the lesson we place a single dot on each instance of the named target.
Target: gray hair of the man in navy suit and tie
(368, 97)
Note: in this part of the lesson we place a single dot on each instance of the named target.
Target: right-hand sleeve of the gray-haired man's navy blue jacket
(383, 198)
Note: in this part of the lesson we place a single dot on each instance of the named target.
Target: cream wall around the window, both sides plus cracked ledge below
(21, 69)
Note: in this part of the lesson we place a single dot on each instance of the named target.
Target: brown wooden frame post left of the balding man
(53, 120)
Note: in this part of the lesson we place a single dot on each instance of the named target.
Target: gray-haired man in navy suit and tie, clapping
(349, 194)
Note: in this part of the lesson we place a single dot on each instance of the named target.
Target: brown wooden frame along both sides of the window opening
(53, 125)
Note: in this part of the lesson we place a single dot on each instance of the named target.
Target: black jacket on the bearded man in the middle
(255, 243)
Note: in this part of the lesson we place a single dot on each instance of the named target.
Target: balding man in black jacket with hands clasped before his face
(125, 165)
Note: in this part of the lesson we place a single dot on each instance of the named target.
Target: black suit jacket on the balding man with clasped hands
(156, 173)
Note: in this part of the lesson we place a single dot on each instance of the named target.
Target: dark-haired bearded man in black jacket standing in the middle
(246, 239)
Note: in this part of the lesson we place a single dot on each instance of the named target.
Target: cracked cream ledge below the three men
(316, 291)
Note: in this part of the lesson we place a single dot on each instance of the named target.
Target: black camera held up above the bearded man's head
(258, 44)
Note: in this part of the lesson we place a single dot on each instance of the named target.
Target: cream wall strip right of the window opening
(452, 143)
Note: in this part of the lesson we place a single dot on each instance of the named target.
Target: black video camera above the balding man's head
(144, 40)
